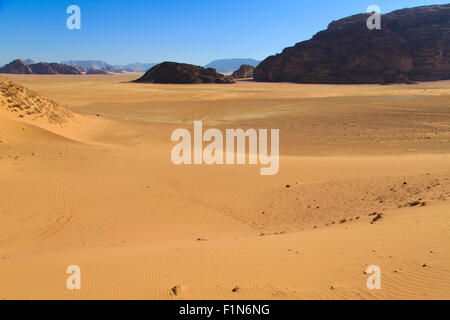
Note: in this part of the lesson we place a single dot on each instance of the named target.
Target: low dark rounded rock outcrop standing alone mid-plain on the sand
(172, 72)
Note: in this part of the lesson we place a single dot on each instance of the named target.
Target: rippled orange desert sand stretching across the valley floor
(95, 187)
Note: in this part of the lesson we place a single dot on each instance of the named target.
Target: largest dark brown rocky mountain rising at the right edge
(412, 45)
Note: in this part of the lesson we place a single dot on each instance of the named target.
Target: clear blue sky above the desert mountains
(191, 31)
